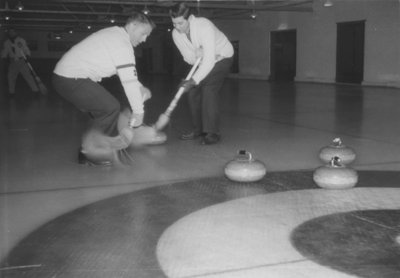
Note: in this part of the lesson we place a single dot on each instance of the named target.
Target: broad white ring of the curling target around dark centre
(254, 233)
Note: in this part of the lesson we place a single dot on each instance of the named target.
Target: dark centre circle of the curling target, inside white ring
(362, 243)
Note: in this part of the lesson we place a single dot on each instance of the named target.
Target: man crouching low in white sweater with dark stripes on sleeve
(102, 54)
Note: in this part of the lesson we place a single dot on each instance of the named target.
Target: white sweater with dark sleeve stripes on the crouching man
(102, 54)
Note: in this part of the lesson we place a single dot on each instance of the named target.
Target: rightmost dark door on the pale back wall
(350, 52)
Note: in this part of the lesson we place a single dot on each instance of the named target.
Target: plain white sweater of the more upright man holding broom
(206, 40)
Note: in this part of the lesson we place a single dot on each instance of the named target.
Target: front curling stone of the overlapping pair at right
(335, 175)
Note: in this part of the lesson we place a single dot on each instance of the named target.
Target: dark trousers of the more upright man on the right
(204, 98)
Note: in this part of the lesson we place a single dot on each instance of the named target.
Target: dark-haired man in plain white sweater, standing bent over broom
(198, 37)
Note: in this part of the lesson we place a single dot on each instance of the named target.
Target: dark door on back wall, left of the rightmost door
(283, 55)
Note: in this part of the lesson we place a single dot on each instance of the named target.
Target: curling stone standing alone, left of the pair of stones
(244, 168)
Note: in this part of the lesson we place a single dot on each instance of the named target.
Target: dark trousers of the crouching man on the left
(91, 97)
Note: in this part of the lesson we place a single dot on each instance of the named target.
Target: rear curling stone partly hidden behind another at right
(337, 148)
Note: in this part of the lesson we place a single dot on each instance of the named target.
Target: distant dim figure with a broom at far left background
(15, 48)
